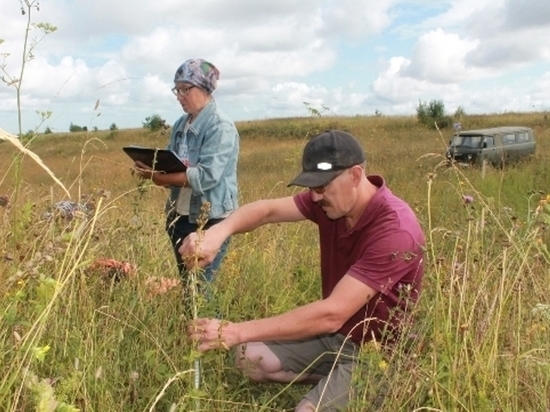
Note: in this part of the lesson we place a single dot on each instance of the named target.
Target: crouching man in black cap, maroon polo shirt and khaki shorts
(371, 269)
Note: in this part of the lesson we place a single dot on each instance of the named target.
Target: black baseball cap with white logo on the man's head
(326, 155)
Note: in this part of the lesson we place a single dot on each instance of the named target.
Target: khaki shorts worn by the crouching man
(331, 356)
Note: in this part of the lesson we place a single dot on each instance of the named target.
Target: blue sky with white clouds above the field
(354, 57)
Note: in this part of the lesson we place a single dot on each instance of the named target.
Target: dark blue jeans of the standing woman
(178, 228)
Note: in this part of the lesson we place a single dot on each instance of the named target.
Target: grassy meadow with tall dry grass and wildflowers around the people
(74, 336)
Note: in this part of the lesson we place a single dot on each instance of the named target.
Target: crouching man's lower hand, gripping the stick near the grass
(212, 334)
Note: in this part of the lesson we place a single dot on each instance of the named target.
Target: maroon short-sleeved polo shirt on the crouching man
(385, 250)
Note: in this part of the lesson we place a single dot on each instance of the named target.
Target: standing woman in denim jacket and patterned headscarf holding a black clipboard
(207, 141)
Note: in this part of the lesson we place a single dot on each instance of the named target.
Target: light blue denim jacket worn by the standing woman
(213, 143)
